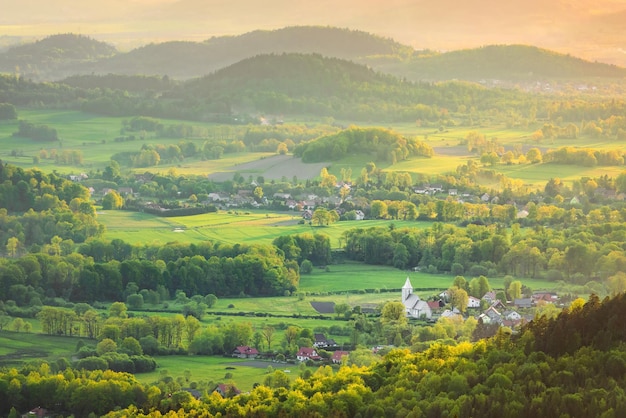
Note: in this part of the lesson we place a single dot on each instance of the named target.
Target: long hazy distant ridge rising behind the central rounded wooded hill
(184, 60)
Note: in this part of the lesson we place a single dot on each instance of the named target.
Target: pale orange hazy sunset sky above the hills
(593, 30)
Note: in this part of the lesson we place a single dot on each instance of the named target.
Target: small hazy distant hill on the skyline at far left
(53, 56)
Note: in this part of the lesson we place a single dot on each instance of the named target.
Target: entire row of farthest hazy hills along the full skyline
(60, 56)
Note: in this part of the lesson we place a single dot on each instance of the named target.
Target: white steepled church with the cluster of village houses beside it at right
(497, 311)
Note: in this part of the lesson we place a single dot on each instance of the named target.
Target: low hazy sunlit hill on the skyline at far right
(504, 62)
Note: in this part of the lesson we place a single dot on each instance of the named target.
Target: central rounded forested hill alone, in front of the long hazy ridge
(312, 84)
